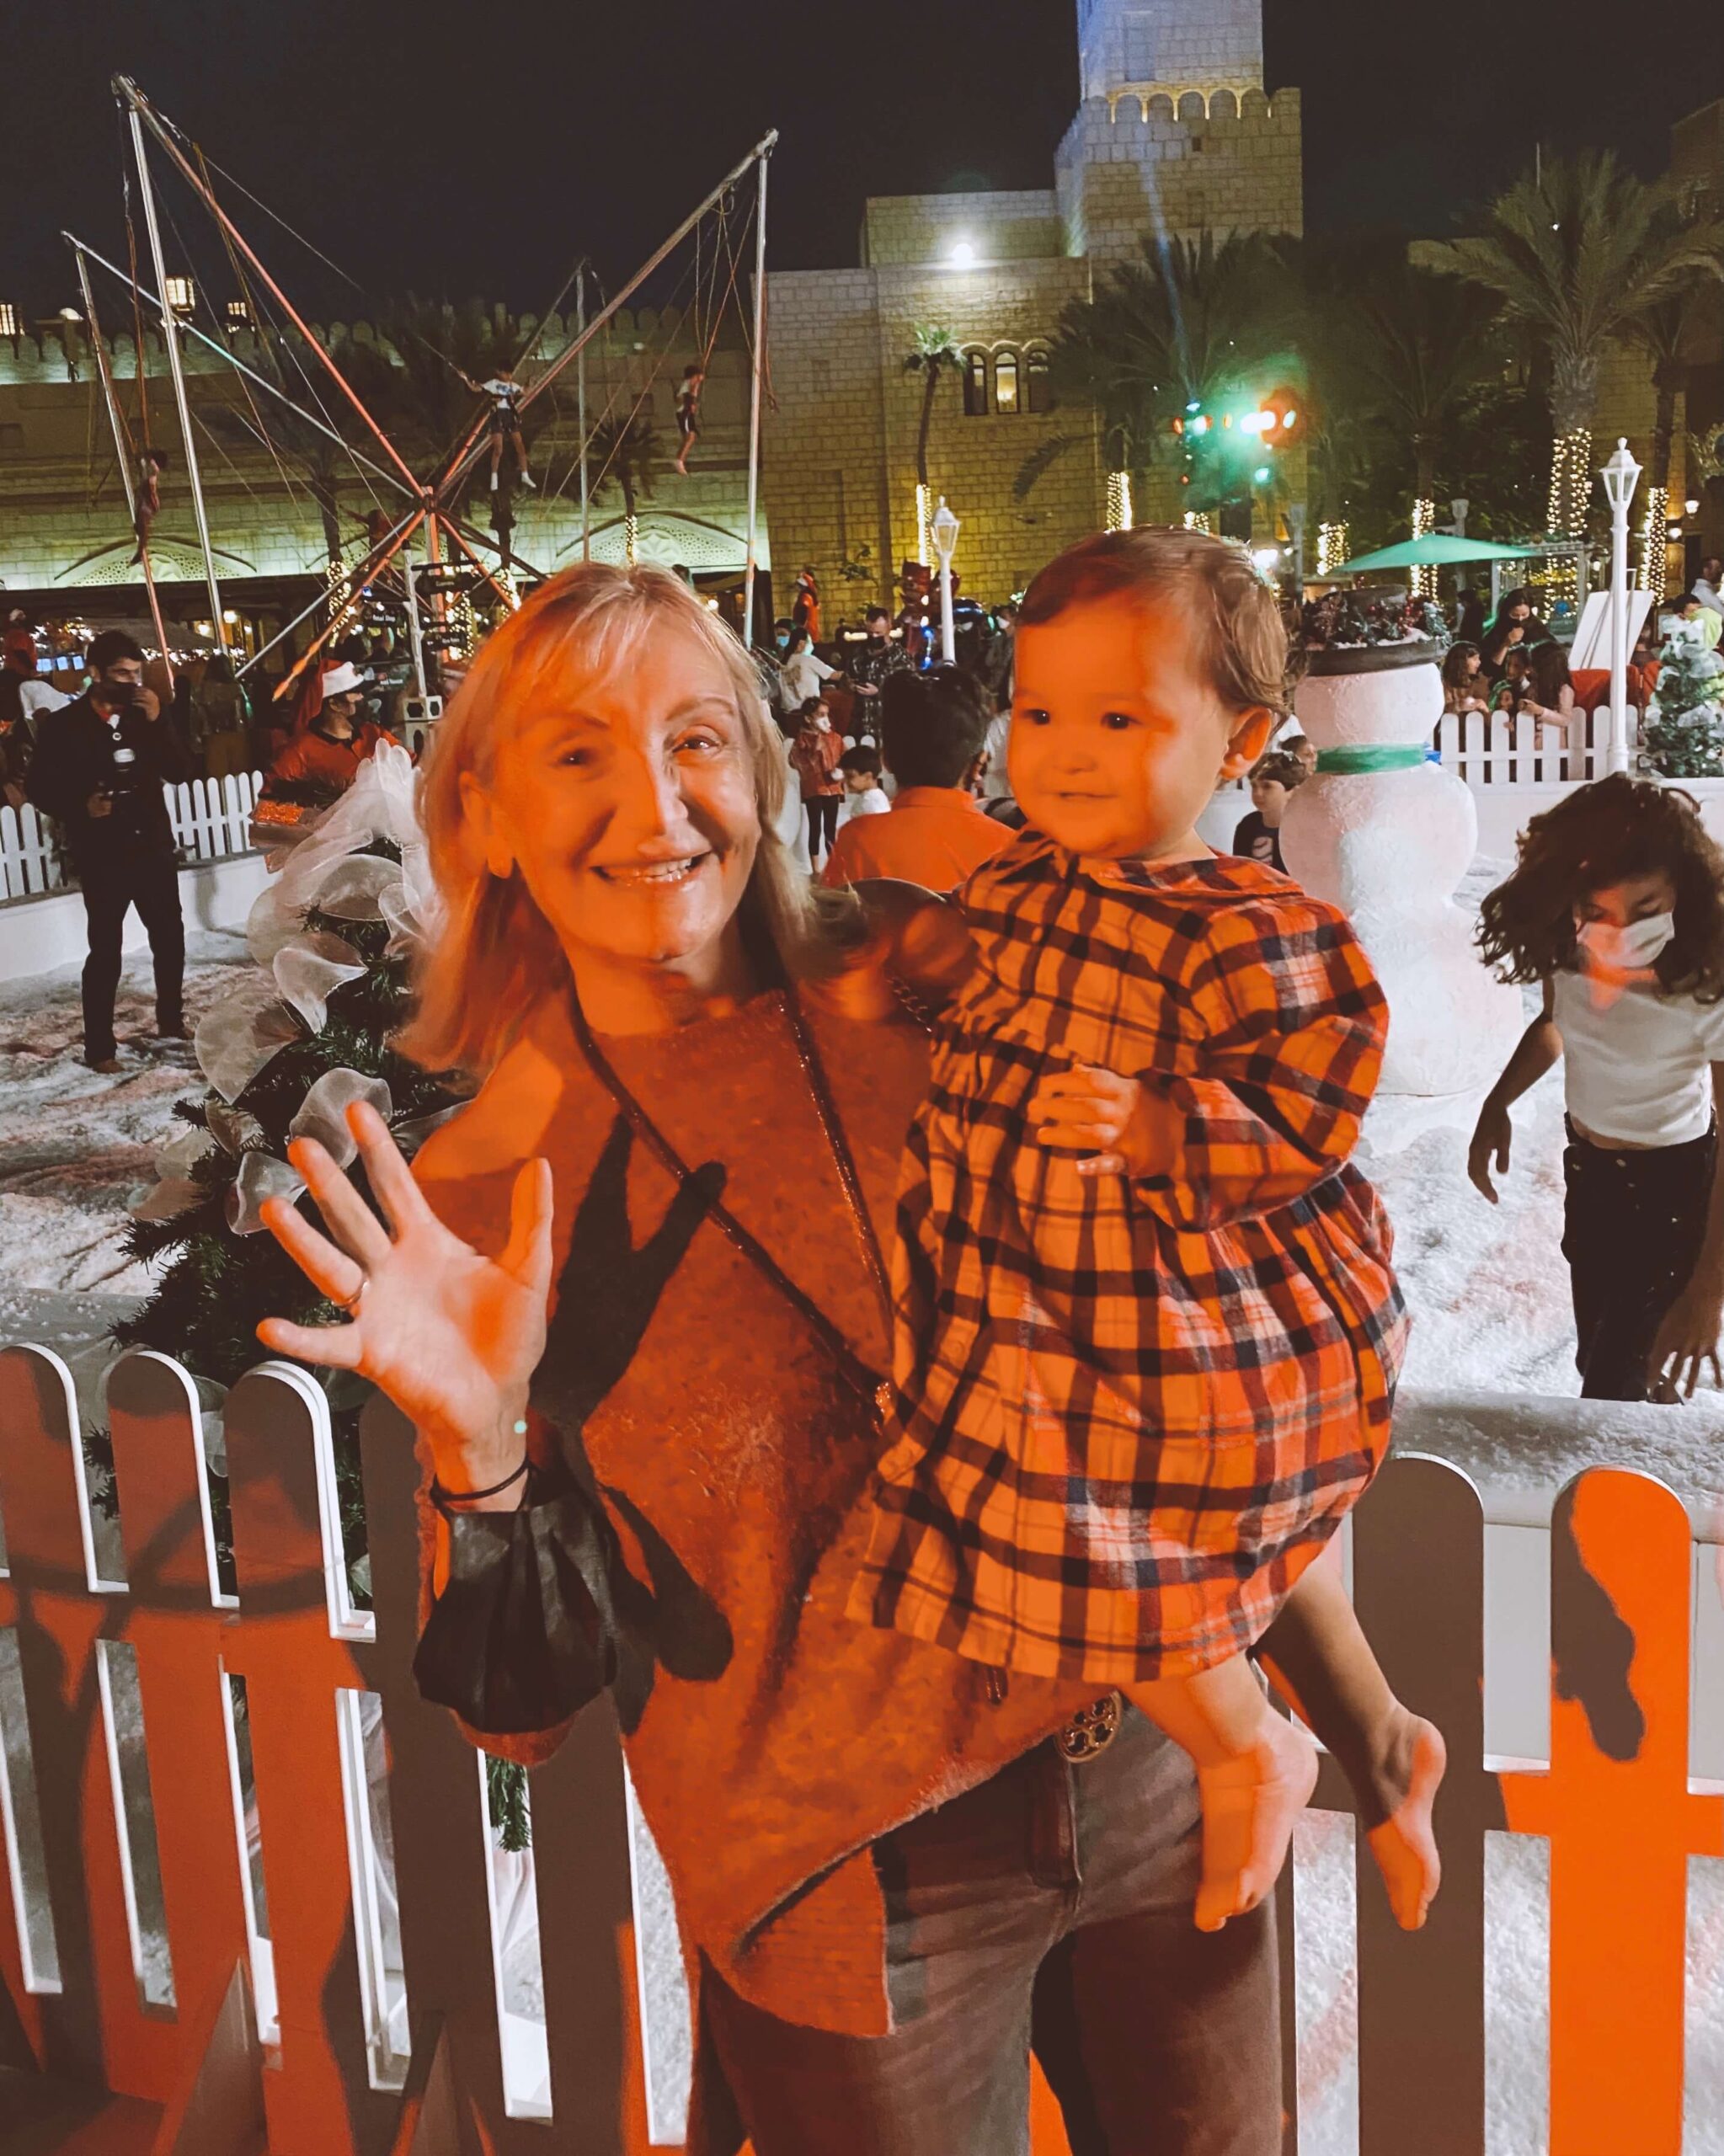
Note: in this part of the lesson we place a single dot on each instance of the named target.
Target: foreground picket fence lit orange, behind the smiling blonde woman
(242, 1855)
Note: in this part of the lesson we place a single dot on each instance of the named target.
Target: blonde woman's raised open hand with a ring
(451, 1338)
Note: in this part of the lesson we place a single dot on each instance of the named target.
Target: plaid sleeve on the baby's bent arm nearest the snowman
(1294, 1038)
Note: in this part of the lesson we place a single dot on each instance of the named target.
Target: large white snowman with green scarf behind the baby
(1389, 838)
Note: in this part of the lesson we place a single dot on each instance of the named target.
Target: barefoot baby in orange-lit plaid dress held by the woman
(1148, 1329)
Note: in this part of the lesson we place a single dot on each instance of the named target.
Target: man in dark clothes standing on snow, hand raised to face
(98, 769)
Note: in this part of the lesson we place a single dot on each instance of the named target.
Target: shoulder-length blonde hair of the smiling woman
(497, 958)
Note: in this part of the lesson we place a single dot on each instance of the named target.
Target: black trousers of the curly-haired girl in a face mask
(1632, 1234)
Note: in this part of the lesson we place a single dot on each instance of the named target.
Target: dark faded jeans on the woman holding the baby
(1053, 1911)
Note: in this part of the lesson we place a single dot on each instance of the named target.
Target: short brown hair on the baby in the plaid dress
(1234, 611)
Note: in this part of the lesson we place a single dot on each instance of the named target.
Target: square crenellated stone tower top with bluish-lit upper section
(1178, 130)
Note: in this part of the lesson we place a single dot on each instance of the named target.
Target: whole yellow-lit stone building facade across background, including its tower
(1176, 133)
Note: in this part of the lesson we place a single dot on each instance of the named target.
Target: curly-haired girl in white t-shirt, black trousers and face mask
(1617, 909)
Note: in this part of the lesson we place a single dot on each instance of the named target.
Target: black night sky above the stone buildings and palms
(482, 148)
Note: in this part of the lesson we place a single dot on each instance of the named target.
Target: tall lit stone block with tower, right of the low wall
(1176, 133)
